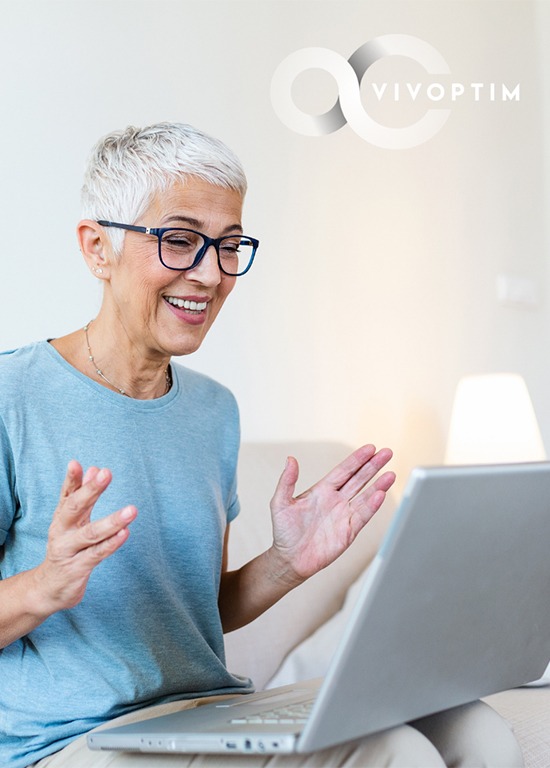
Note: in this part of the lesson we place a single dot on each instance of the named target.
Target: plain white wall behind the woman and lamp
(375, 285)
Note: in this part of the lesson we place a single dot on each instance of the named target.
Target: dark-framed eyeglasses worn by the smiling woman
(183, 249)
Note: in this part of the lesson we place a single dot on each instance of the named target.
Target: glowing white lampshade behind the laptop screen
(493, 422)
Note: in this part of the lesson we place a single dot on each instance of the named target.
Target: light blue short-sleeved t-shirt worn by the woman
(148, 629)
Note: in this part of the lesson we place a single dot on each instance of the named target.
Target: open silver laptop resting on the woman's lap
(453, 607)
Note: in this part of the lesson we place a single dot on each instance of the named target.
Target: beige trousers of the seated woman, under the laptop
(471, 736)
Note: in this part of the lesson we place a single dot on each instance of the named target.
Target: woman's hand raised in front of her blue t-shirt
(75, 544)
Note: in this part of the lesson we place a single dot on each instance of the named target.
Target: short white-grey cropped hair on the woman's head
(127, 168)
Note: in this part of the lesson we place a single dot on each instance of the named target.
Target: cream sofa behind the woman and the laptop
(294, 640)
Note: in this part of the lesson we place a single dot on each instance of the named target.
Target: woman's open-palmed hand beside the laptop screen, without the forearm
(311, 530)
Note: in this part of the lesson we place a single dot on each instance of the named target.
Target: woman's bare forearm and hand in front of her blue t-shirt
(75, 547)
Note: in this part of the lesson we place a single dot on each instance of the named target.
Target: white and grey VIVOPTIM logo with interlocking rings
(349, 108)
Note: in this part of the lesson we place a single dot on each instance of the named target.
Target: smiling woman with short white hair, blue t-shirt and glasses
(95, 625)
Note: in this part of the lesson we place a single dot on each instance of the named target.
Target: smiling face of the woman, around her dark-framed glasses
(145, 295)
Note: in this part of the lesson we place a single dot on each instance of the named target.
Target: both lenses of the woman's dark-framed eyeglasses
(179, 249)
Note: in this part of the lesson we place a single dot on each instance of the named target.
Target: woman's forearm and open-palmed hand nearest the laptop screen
(309, 532)
